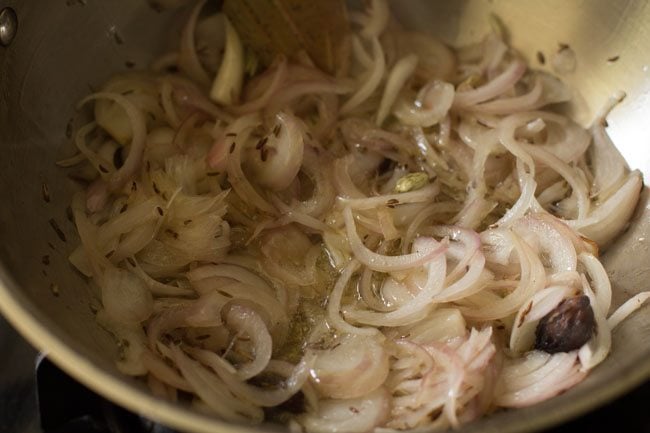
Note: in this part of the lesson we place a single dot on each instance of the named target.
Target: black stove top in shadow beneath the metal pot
(37, 397)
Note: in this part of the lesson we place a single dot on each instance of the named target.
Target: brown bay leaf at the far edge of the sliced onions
(272, 27)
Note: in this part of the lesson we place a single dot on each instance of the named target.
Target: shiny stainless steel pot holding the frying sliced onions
(64, 47)
